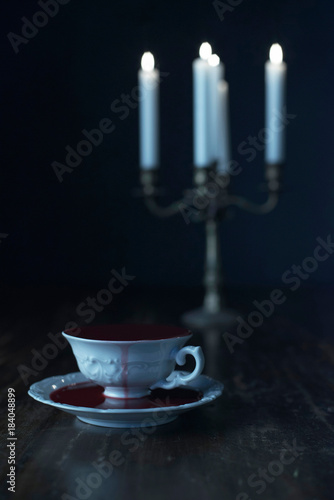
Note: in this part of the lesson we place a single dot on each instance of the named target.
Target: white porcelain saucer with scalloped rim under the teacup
(119, 413)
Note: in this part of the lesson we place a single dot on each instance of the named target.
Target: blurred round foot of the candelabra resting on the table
(202, 318)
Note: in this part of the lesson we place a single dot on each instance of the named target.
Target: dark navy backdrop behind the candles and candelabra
(65, 80)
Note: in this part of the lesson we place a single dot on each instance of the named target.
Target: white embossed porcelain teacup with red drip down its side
(130, 360)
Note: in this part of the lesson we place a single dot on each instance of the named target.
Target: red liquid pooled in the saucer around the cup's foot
(90, 395)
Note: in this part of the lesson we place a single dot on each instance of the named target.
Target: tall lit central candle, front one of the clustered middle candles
(202, 155)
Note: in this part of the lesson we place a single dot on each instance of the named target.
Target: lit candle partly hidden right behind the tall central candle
(216, 74)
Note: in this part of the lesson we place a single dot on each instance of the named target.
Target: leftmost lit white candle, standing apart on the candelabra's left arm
(148, 78)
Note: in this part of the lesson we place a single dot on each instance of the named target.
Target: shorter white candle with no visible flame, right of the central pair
(222, 135)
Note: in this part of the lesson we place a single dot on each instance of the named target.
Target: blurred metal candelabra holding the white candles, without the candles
(212, 187)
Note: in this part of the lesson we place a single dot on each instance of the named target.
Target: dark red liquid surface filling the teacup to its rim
(128, 332)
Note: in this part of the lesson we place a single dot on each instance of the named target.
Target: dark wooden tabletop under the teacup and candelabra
(269, 436)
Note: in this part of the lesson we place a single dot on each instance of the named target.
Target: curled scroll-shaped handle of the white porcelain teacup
(177, 378)
